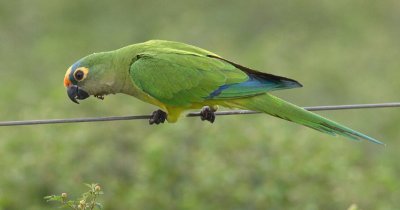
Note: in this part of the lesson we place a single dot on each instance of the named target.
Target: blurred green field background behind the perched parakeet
(343, 52)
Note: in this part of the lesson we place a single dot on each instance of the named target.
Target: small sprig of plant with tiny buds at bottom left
(88, 200)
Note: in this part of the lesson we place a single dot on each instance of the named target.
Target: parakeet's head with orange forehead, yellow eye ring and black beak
(91, 75)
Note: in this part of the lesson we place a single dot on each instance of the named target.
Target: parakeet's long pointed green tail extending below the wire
(279, 108)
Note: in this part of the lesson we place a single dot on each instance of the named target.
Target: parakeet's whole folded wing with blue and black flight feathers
(179, 75)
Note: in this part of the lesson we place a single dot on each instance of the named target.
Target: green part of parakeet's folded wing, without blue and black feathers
(178, 79)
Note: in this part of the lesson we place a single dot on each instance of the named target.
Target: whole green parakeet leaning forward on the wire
(177, 77)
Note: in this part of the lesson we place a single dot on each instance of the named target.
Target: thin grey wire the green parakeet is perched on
(192, 114)
